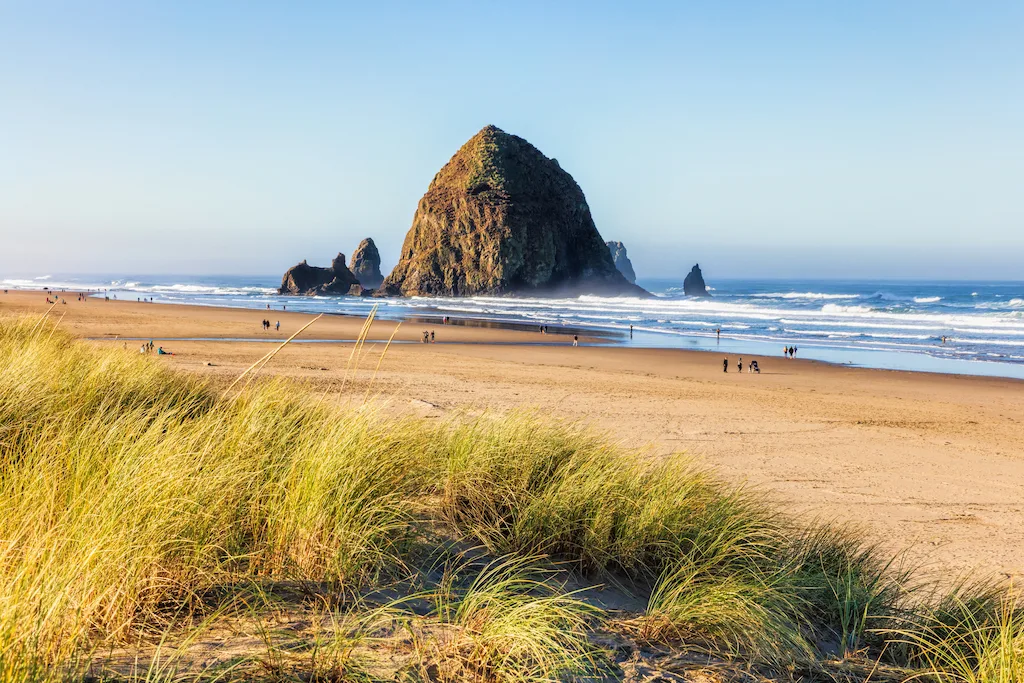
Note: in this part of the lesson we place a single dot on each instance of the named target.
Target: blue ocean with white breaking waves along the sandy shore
(898, 325)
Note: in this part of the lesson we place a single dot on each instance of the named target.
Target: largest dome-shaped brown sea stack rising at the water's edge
(501, 219)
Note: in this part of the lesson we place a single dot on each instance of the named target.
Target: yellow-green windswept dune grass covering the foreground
(135, 498)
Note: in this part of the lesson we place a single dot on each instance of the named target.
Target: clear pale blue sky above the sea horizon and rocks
(784, 140)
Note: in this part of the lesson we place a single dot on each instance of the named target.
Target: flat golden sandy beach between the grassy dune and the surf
(931, 464)
